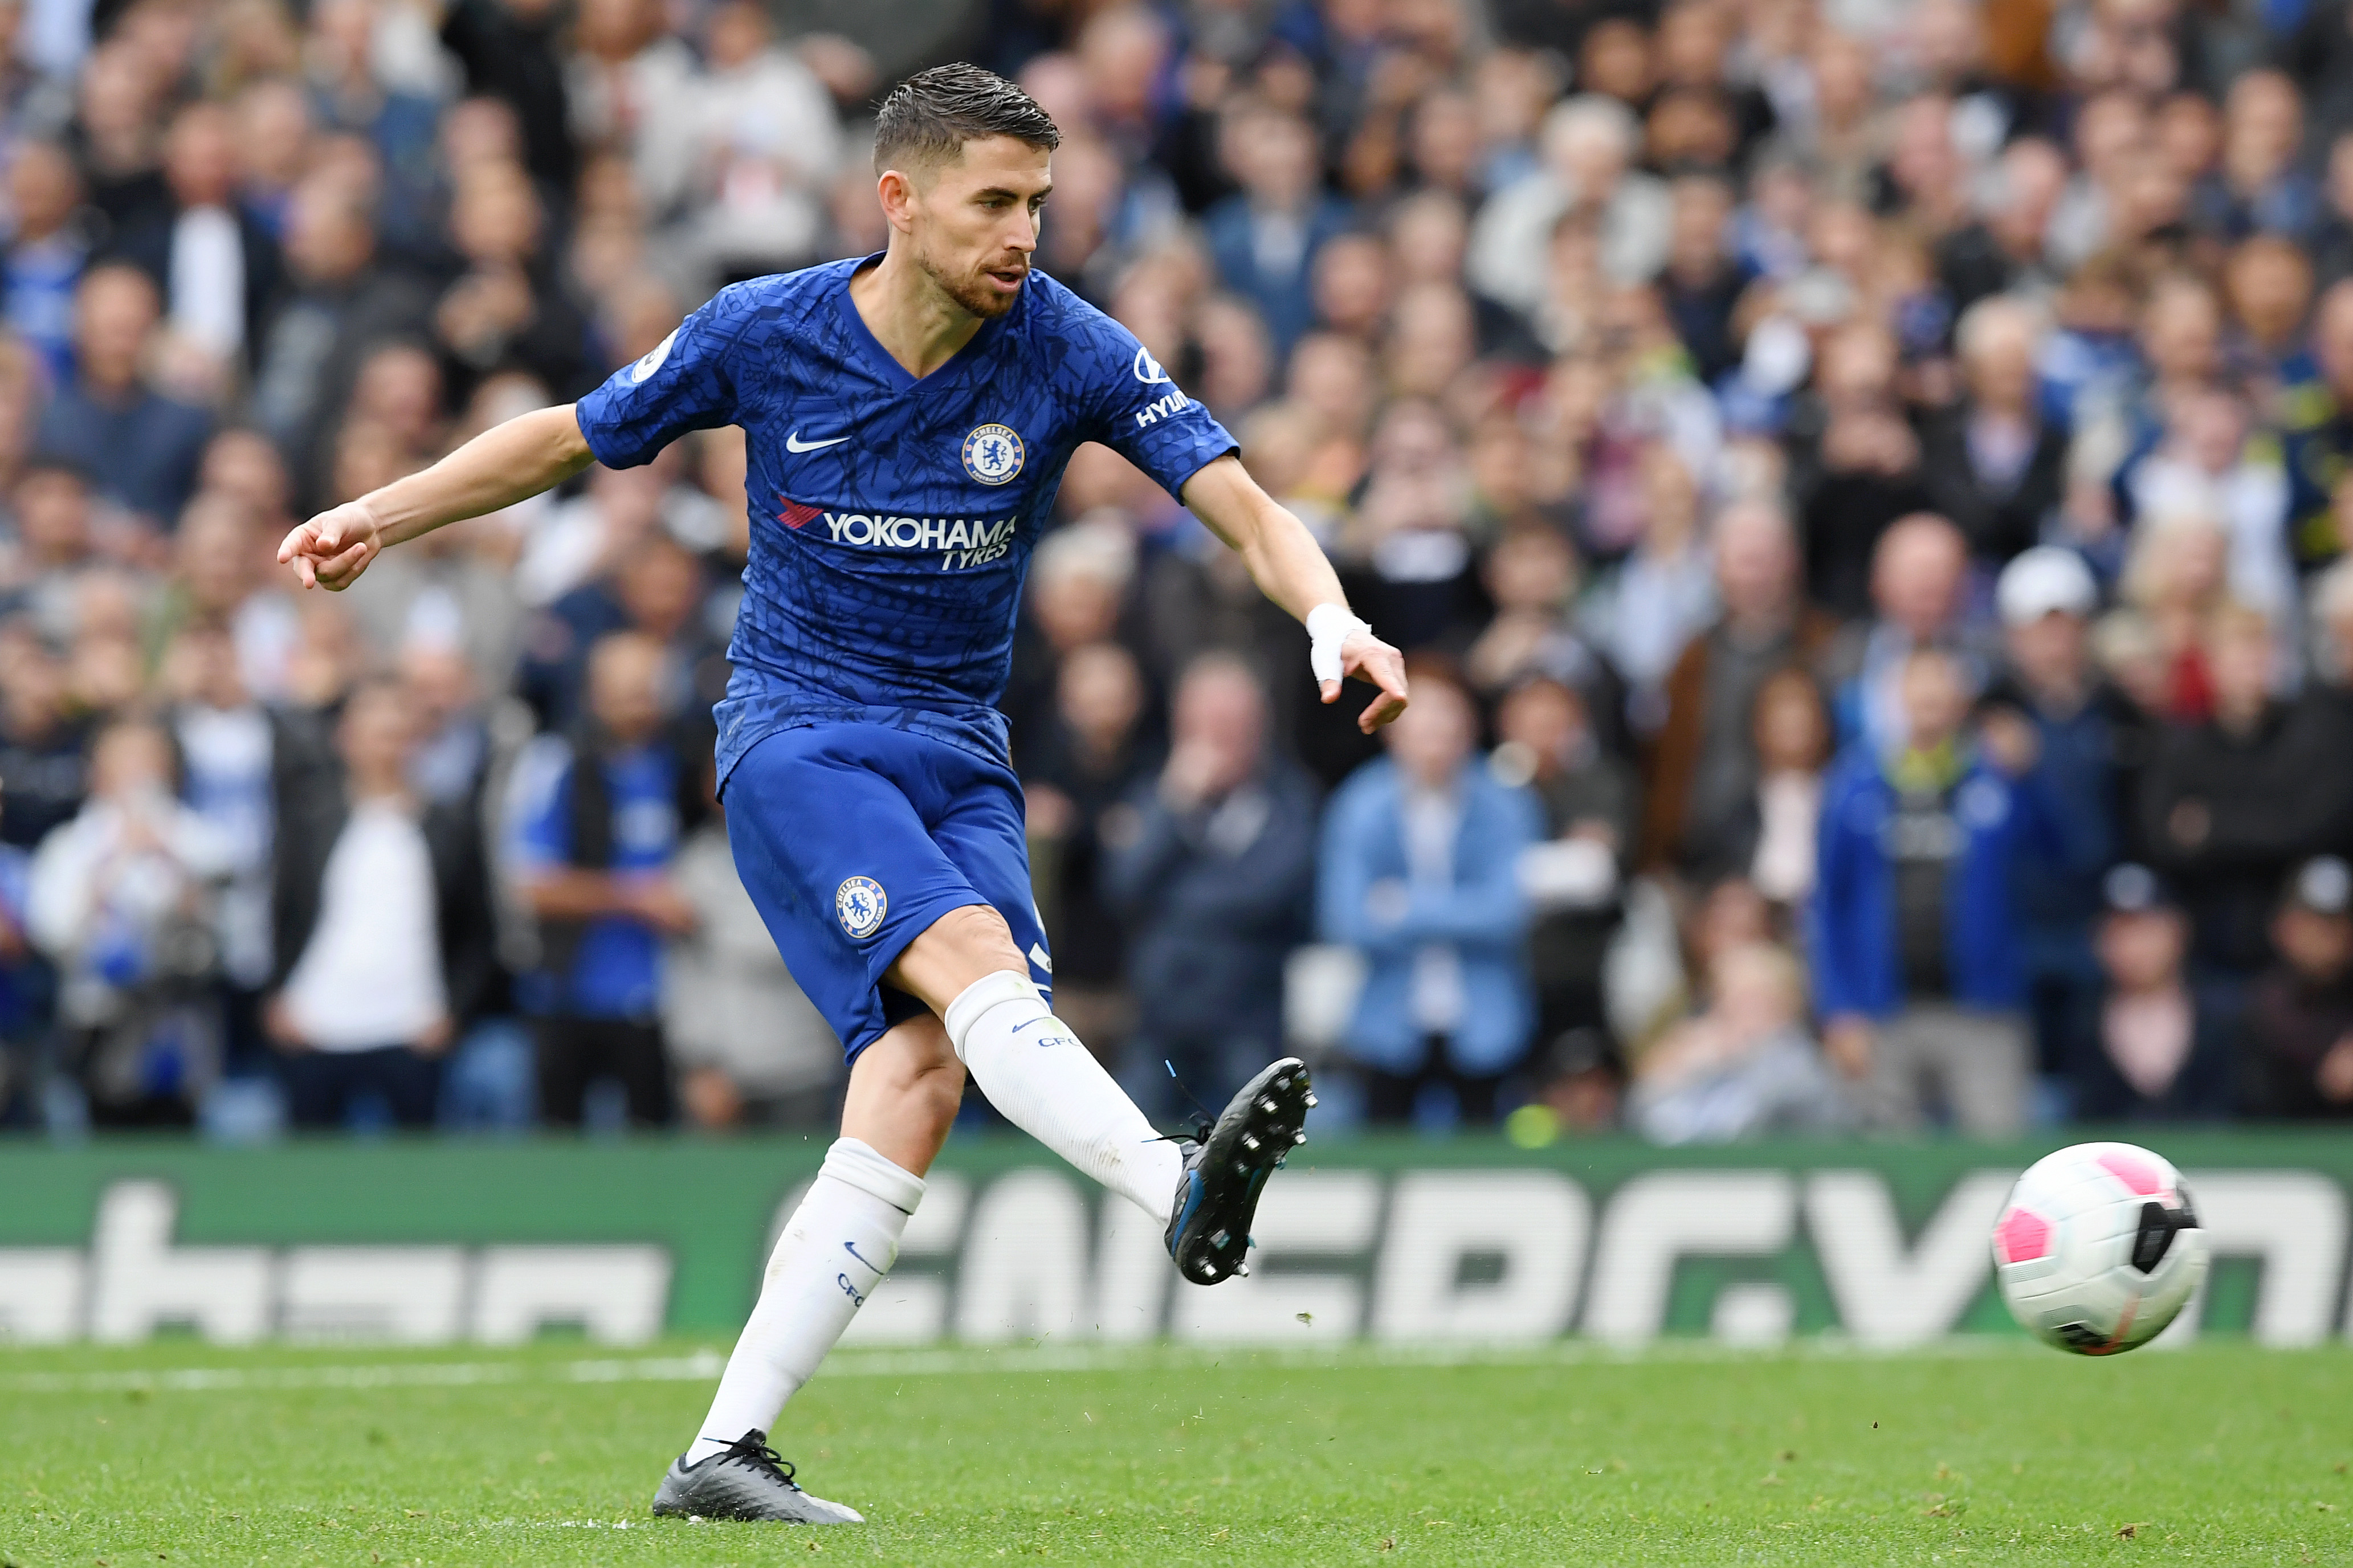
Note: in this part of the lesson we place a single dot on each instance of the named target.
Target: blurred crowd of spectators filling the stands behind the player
(1865, 488)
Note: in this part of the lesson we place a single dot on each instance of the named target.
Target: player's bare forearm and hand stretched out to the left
(493, 471)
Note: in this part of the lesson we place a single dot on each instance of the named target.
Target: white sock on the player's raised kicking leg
(1036, 1071)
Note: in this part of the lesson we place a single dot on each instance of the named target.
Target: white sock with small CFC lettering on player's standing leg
(832, 1254)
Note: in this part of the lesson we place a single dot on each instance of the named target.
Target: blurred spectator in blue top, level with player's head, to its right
(1267, 236)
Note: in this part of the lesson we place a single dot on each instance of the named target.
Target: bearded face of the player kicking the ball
(975, 225)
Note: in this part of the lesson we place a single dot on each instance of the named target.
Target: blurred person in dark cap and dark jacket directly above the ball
(2166, 1047)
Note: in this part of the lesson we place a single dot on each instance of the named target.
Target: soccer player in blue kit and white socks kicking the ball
(909, 420)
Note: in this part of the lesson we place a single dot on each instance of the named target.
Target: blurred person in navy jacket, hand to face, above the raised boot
(1213, 866)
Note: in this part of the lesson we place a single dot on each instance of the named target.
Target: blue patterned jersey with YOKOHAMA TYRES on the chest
(893, 518)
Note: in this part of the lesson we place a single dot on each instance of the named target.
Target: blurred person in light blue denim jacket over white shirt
(1422, 876)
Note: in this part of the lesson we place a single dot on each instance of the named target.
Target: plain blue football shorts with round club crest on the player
(855, 838)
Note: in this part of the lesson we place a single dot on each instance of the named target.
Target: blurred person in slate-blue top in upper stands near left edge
(138, 445)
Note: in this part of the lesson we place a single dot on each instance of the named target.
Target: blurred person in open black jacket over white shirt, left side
(382, 927)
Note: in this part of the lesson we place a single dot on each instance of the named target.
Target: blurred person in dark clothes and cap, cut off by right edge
(2300, 1012)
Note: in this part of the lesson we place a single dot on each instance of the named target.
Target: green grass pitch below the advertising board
(2008, 1454)
